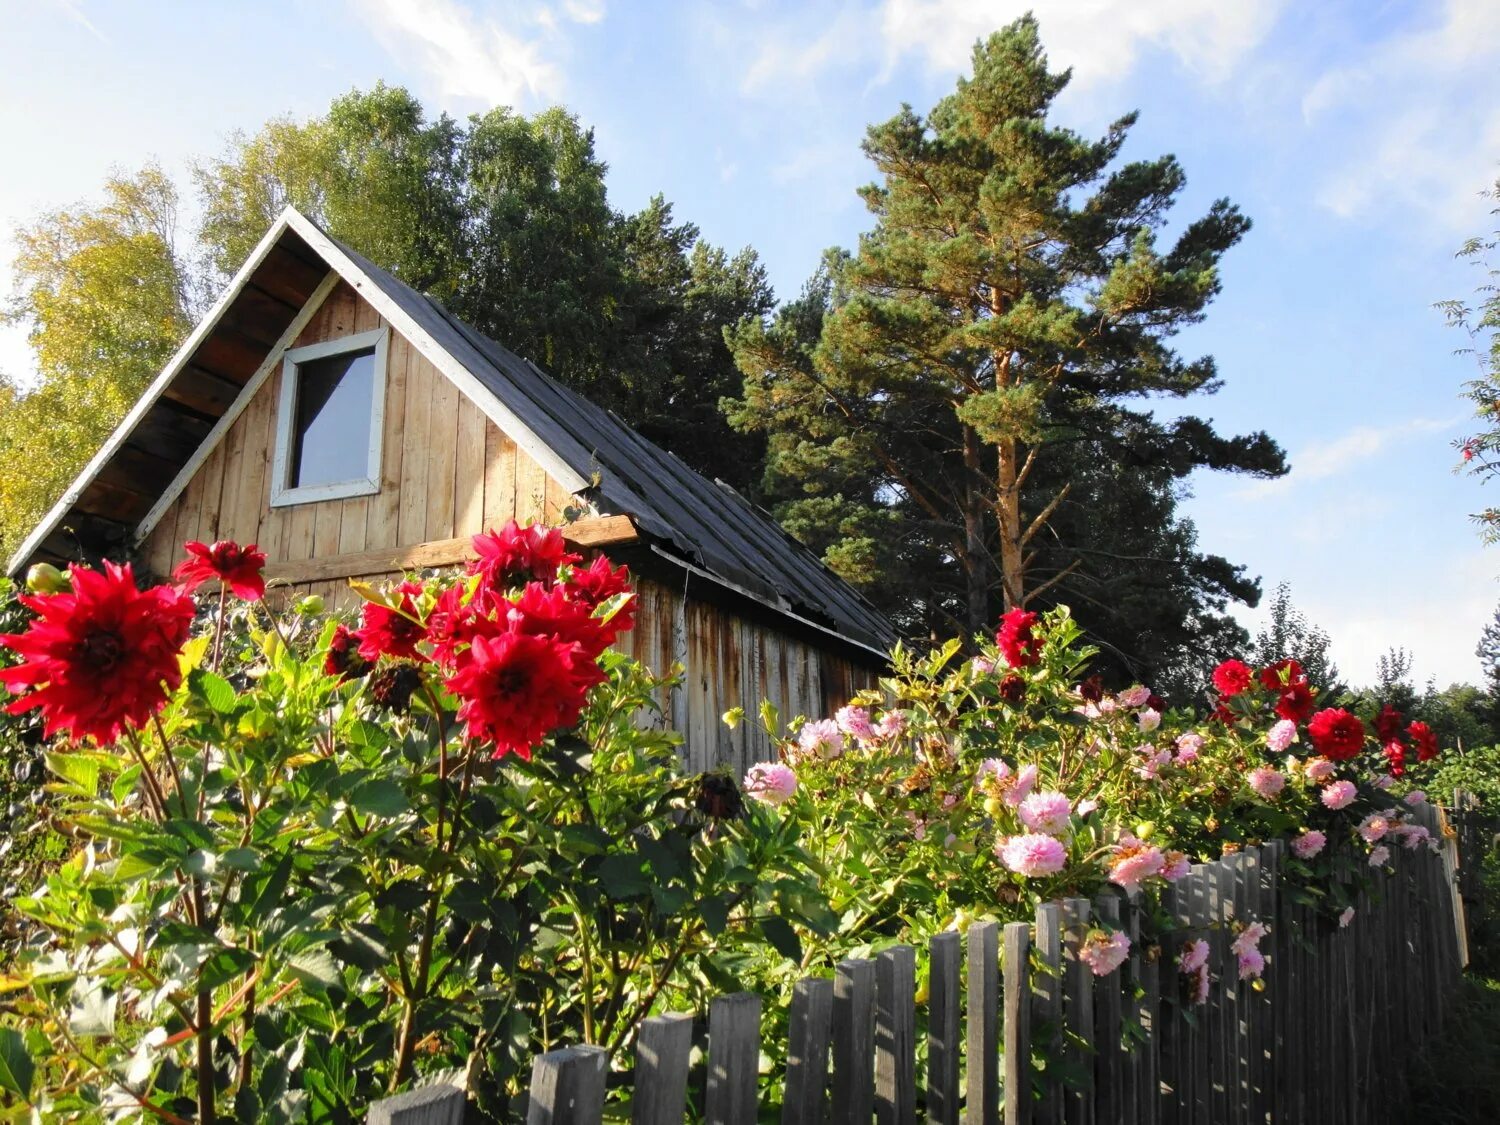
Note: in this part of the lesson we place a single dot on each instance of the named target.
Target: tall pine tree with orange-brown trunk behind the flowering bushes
(946, 409)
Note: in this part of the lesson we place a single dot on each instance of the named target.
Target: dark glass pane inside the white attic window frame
(332, 425)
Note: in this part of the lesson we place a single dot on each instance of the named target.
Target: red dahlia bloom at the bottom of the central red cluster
(515, 689)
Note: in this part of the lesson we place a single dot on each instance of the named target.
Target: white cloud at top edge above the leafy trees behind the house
(503, 59)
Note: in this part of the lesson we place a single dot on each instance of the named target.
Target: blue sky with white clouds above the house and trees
(1358, 137)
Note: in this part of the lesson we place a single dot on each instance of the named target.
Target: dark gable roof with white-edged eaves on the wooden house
(704, 526)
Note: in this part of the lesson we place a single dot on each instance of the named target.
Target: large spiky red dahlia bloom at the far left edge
(100, 658)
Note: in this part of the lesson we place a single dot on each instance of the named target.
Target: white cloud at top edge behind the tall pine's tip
(1102, 40)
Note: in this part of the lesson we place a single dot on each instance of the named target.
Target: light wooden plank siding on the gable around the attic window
(446, 470)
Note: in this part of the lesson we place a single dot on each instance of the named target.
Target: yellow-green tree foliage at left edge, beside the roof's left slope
(107, 296)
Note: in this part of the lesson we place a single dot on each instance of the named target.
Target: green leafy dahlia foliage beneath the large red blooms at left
(290, 899)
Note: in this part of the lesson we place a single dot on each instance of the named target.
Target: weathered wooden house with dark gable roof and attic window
(353, 428)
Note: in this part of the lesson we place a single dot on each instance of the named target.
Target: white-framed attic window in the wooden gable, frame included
(329, 421)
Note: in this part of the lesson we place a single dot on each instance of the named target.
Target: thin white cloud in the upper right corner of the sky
(1415, 125)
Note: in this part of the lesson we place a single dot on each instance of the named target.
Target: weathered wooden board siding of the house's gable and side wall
(449, 472)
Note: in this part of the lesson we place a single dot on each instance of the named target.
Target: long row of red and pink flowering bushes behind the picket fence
(319, 863)
